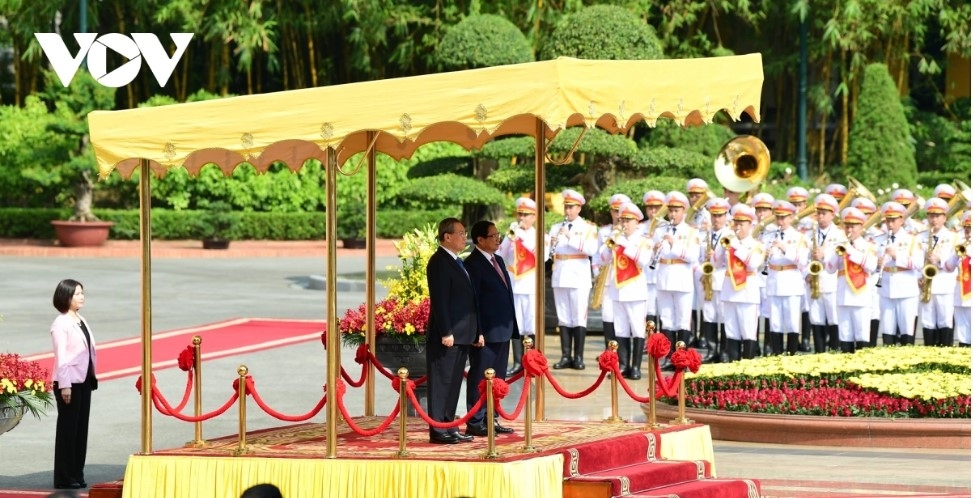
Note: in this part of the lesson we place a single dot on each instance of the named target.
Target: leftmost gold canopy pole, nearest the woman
(145, 231)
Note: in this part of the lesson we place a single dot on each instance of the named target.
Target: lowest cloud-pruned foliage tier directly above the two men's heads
(450, 190)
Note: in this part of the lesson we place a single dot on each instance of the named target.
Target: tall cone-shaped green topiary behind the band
(880, 148)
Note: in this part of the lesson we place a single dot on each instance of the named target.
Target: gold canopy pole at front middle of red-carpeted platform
(334, 342)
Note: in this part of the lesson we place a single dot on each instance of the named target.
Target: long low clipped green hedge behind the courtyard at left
(35, 223)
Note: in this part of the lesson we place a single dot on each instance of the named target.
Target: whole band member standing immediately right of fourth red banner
(900, 259)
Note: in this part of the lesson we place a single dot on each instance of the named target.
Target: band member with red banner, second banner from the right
(852, 268)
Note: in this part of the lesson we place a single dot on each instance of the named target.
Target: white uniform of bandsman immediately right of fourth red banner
(899, 293)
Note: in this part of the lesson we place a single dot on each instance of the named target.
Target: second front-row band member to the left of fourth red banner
(786, 255)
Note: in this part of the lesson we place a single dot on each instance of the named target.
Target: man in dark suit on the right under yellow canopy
(497, 324)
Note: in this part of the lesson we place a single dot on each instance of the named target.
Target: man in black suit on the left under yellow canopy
(452, 329)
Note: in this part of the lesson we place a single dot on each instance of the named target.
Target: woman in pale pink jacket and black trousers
(74, 379)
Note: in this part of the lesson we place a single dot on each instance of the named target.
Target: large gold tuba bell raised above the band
(742, 163)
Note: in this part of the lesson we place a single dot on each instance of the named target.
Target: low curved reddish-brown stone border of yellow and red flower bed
(867, 432)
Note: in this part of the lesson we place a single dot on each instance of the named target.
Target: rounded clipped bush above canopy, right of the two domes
(603, 32)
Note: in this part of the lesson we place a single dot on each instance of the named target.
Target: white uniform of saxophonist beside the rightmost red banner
(938, 312)
